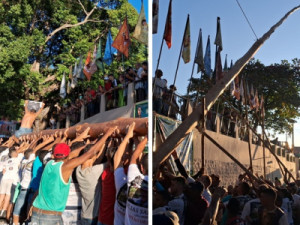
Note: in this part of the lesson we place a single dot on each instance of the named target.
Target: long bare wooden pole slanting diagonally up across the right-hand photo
(190, 122)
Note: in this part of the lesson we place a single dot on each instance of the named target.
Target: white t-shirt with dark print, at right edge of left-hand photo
(137, 202)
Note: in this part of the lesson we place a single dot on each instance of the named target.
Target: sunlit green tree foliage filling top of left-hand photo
(24, 27)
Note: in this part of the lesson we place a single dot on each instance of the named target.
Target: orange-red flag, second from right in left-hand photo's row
(122, 41)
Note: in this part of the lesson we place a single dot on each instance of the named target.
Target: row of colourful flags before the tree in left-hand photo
(95, 60)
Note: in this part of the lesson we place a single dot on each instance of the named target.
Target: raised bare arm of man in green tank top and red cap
(69, 166)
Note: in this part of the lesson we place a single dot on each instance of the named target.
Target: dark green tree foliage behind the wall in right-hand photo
(278, 83)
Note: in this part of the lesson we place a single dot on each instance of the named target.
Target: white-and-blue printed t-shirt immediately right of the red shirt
(121, 197)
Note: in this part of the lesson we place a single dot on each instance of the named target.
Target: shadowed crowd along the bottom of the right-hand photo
(191, 200)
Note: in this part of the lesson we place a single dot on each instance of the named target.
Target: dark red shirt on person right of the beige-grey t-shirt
(108, 197)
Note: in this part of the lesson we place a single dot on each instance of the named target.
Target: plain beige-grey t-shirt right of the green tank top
(90, 187)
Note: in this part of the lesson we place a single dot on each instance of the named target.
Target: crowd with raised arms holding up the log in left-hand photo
(55, 180)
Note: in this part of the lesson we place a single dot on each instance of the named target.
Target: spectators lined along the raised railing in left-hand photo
(115, 90)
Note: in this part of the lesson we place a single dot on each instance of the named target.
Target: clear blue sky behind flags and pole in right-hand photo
(236, 34)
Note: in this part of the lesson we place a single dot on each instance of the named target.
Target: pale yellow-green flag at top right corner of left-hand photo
(141, 29)
